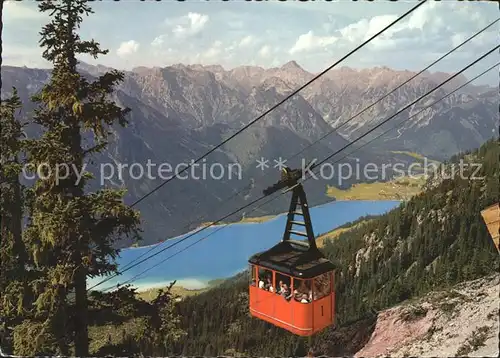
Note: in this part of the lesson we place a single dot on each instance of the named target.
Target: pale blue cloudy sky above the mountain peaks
(232, 33)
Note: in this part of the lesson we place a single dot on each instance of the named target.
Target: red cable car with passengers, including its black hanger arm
(292, 284)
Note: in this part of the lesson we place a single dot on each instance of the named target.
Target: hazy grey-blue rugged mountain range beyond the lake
(182, 111)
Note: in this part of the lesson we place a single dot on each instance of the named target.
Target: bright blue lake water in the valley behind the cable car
(226, 250)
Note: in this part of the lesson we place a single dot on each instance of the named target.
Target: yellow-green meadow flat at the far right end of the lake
(398, 189)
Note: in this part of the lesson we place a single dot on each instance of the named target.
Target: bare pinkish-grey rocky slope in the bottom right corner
(458, 322)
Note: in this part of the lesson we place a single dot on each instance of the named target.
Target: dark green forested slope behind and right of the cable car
(435, 240)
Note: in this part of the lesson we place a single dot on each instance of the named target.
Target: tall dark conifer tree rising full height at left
(71, 233)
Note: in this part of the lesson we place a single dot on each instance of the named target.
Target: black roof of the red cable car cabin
(293, 258)
